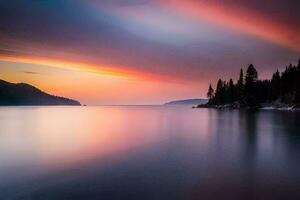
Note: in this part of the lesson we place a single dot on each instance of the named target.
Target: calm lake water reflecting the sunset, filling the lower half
(148, 152)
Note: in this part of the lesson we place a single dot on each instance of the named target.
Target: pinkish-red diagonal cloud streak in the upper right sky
(238, 19)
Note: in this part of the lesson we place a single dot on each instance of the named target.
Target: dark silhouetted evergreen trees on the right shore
(250, 91)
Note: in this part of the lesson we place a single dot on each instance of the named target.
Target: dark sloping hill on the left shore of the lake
(25, 94)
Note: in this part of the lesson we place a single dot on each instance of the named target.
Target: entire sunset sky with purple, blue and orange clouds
(111, 52)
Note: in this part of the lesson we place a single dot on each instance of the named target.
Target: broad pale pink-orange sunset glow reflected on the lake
(55, 137)
